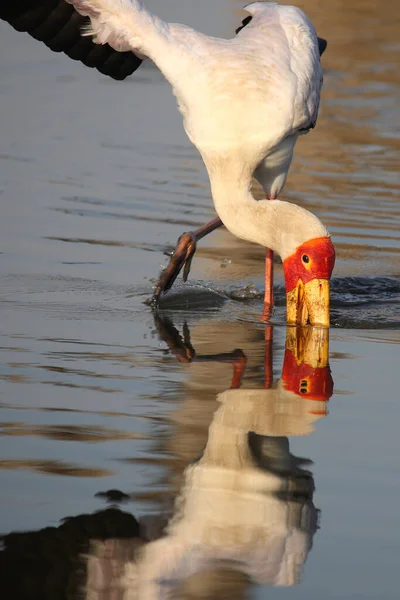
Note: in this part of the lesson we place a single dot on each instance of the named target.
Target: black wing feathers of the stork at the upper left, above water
(59, 26)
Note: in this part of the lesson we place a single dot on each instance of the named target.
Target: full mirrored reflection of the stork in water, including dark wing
(243, 511)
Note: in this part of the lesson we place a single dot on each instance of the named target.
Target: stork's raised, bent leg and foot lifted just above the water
(182, 257)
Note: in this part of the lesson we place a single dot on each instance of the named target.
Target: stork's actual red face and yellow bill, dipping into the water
(307, 274)
